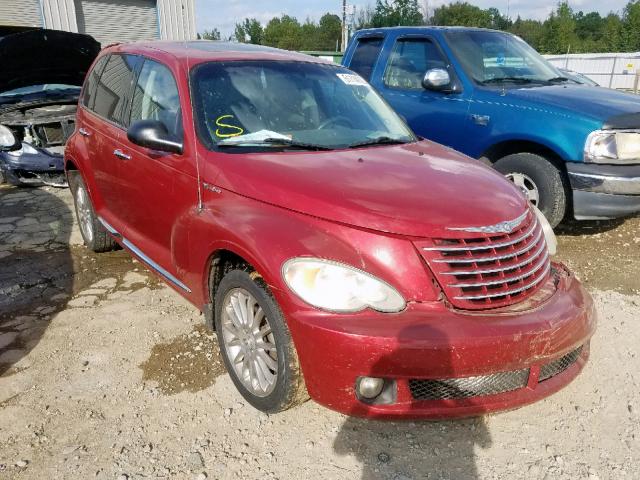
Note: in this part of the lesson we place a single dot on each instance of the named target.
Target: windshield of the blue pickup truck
(500, 58)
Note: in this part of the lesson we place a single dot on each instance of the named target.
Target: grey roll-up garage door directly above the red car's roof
(110, 21)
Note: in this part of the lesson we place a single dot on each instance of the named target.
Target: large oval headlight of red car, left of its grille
(337, 287)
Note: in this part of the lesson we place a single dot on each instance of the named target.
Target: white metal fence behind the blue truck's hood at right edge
(613, 70)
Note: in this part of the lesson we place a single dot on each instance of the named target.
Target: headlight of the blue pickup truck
(613, 146)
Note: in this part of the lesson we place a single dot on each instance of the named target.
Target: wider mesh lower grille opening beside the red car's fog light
(451, 388)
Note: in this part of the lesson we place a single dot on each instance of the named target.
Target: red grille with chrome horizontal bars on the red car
(489, 270)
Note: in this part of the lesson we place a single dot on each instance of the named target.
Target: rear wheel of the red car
(95, 236)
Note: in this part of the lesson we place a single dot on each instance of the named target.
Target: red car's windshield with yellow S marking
(269, 104)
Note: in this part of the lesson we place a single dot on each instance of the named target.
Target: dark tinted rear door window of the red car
(114, 86)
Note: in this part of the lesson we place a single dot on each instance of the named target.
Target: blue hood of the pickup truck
(601, 104)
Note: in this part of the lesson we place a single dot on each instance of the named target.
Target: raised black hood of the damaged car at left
(37, 57)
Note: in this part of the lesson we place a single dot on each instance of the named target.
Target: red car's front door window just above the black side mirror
(156, 98)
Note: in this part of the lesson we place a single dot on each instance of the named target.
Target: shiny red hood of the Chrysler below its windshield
(417, 189)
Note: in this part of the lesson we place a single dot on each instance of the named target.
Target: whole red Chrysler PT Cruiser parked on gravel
(336, 255)
